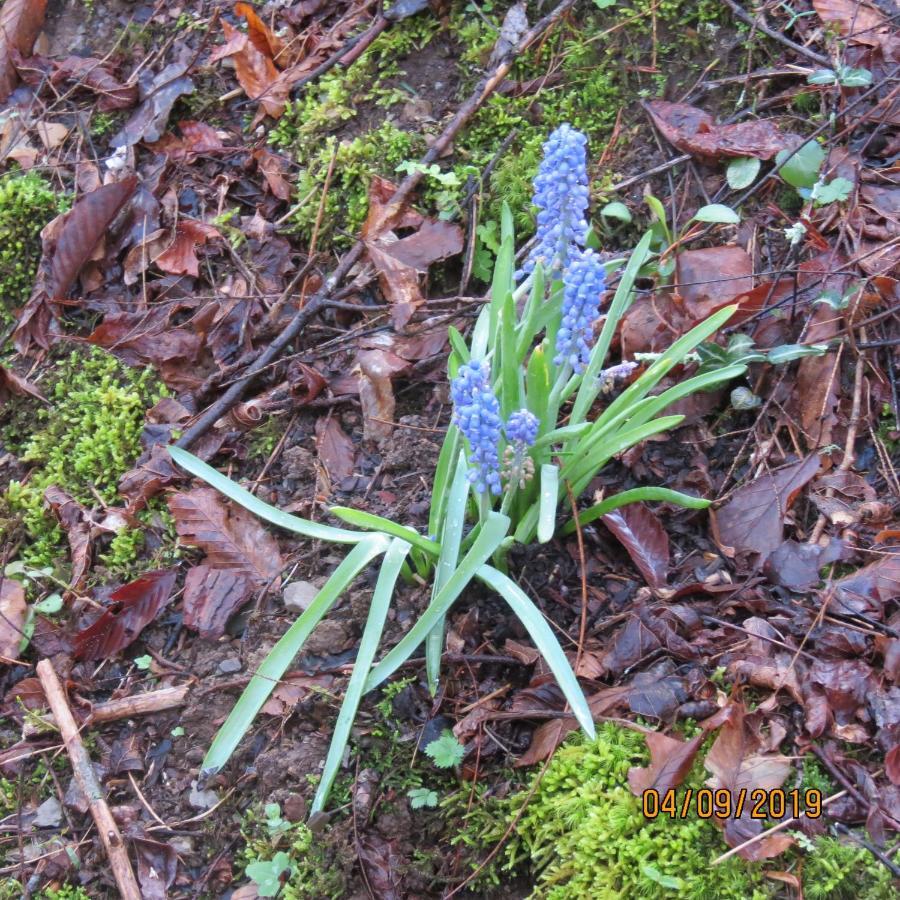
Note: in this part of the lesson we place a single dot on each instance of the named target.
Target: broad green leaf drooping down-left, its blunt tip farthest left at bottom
(276, 663)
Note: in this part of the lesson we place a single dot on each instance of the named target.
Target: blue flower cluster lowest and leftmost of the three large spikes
(477, 413)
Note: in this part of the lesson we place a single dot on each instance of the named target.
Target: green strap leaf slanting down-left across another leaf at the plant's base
(492, 532)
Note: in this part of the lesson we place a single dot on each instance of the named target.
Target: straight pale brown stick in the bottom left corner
(87, 781)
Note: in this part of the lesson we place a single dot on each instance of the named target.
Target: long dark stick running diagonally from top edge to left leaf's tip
(393, 210)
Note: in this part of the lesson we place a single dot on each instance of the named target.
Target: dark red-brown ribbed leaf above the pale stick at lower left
(132, 608)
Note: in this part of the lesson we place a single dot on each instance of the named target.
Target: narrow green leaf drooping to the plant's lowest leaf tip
(368, 647)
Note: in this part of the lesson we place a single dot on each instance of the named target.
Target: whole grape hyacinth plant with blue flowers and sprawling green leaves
(531, 427)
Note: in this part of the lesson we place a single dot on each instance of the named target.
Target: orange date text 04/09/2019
(708, 803)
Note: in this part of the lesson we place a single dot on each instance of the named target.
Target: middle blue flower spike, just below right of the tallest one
(583, 284)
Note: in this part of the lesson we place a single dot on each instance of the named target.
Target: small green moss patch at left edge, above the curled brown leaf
(27, 204)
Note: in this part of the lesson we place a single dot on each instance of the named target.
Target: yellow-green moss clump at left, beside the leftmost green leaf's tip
(85, 441)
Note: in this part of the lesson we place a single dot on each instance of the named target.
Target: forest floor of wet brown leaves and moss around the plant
(178, 182)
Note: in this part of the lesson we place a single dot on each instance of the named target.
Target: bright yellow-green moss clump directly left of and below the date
(585, 833)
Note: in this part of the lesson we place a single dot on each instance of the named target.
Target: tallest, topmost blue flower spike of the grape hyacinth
(561, 197)
